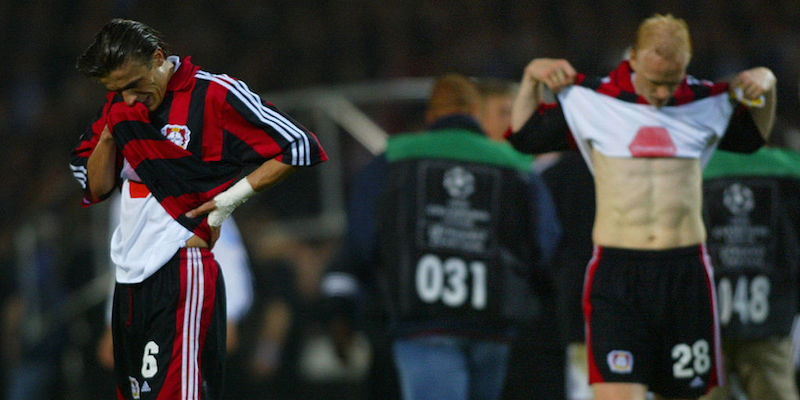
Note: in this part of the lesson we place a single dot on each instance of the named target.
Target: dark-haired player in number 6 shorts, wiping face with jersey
(185, 147)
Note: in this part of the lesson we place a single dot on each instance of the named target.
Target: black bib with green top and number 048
(752, 218)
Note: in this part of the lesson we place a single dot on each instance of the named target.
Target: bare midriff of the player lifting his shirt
(647, 203)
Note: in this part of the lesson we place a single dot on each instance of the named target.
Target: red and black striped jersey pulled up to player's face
(210, 131)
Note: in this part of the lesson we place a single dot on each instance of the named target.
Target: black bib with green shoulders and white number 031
(457, 229)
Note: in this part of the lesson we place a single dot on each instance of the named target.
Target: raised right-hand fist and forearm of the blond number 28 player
(755, 83)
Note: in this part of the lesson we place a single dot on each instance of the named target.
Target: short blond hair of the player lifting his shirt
(666, 35)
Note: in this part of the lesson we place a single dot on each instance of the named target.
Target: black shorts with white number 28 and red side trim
(651, 319)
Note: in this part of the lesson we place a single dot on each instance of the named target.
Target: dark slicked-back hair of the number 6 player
(120, 40)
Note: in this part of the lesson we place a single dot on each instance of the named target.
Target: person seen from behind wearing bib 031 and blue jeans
(451, 269)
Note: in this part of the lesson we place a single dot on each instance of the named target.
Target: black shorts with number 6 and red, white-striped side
(169, 331)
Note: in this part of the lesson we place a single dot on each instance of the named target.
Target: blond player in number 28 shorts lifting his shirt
(645, 131)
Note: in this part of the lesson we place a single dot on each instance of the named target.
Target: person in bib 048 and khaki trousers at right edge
(750, 208)
